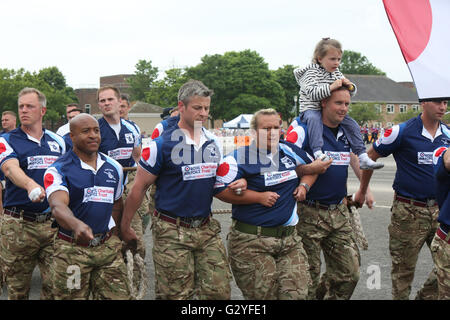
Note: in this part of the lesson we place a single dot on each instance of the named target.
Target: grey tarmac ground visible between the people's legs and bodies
(376, 258)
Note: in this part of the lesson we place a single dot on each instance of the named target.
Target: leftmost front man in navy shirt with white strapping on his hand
(25, 154)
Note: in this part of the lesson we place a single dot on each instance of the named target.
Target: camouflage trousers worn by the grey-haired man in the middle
(190, 262)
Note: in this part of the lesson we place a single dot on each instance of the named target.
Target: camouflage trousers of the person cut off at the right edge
(441, 256)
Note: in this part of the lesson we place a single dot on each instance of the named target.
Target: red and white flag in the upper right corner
(422, 28)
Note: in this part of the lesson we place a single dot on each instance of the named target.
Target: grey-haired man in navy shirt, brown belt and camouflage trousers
(188, 253)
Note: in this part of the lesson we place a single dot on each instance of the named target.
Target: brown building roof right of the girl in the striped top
(373, 88)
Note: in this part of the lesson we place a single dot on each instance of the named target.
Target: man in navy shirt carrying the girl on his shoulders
(324, 223)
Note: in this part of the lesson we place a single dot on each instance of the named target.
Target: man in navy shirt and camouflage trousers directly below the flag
(414, 209)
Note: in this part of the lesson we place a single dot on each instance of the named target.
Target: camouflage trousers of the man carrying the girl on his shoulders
(330, 231)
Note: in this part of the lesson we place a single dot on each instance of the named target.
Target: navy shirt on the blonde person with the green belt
(264, 172)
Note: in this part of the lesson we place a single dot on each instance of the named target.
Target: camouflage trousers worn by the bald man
(80, 271)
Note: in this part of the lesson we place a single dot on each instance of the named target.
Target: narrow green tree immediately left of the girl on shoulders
(285, 77)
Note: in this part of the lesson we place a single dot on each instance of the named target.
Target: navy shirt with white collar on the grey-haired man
(186, 175)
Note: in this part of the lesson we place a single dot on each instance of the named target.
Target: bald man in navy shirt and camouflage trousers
(84, 189)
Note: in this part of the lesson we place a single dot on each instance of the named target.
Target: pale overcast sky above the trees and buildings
(90, 39)
